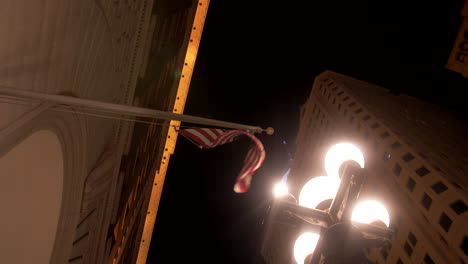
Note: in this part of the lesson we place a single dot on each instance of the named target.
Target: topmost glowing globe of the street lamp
(340, 153)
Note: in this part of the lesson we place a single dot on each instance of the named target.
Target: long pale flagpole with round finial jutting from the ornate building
(128, 110)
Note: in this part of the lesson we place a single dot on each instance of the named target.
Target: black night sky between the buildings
(256, 65)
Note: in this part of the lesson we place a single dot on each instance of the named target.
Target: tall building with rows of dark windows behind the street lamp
(417, 158)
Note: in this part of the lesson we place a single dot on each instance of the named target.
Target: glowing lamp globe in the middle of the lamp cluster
(318, 190)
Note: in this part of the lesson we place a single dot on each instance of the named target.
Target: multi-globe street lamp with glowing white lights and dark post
(338, 232)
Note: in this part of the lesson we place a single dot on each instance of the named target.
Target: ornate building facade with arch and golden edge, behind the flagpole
(79, 185)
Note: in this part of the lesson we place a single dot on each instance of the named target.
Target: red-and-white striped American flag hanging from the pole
(212, 137)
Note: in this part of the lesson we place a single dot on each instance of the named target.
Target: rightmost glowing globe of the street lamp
(370, 211)
